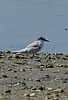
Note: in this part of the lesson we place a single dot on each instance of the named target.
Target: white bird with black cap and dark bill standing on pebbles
(34, 47)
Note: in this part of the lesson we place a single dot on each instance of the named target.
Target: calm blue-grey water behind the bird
(21, 21)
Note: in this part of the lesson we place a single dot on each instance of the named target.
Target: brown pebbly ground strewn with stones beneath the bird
(42, 77)
